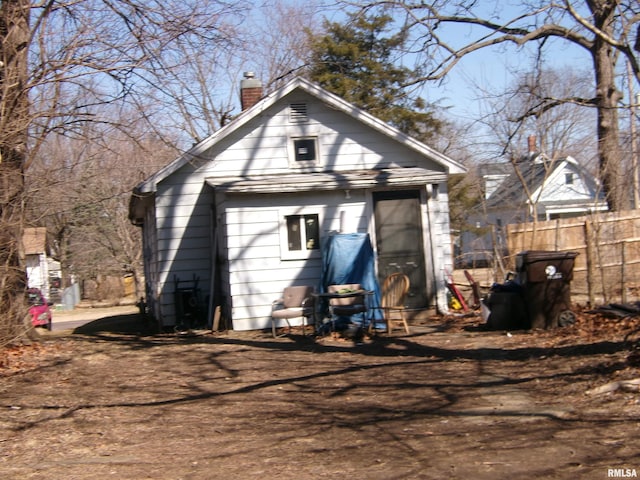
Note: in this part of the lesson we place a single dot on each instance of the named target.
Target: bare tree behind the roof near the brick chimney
(200, 92)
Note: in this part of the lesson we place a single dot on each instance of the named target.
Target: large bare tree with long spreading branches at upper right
(606, 30)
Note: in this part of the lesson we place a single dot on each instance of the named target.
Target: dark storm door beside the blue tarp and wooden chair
(399, 241)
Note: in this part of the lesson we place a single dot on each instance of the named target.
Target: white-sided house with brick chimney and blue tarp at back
(245, 212)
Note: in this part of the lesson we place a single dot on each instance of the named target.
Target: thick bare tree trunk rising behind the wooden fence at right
(607, 98)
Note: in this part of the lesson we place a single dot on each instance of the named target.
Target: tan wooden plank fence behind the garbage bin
(607, 269)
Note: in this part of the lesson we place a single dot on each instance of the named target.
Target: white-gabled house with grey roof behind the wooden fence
(534, 187)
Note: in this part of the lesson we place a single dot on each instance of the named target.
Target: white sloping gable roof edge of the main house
(149, 185)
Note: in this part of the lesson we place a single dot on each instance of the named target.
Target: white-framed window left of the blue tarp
(300, 235)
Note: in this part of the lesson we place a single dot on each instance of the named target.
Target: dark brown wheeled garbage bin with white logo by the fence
(546, 279)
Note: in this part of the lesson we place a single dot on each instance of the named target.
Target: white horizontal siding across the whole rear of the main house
(248, 233)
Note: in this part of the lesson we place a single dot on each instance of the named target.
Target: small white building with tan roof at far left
(42, 272)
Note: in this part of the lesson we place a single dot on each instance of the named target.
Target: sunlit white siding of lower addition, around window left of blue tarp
(257, 272)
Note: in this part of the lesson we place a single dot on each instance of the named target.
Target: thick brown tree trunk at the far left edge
(14, 119)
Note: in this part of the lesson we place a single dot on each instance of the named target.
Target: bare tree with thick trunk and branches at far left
(60, 61)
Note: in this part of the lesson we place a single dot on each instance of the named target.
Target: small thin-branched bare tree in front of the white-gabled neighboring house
(546, 138)
